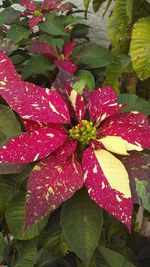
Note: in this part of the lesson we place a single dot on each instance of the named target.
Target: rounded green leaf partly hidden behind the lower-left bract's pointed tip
(15, 219)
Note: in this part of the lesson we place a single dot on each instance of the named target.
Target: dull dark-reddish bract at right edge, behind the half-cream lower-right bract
(138, 167)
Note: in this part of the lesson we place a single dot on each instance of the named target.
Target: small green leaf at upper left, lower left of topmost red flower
(18, 33)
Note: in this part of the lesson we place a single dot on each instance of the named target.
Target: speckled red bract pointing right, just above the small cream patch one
(132, 127)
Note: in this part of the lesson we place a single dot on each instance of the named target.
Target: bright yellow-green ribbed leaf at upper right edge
(140, 48)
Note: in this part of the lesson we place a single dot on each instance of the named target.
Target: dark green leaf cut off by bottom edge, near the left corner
(25, 254)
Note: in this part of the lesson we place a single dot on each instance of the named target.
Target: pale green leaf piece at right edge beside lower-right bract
(142, 188)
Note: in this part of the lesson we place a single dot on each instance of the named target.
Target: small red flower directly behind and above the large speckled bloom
(61, 59)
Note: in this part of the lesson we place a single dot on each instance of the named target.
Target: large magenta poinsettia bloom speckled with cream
(83, 152)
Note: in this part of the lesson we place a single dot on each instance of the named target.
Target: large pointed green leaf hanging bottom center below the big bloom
(82, 221)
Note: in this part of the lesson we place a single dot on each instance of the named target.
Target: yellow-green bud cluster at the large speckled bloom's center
(83, 132)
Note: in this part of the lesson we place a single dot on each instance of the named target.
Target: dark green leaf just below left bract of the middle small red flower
(37, 65)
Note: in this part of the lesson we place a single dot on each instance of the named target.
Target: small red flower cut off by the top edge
(36, 12)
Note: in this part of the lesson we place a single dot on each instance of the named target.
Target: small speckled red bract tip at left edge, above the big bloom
(7, 70)
